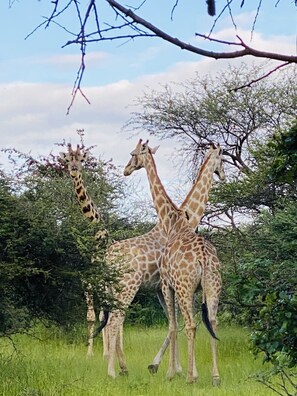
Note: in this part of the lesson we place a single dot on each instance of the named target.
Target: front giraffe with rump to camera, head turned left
(185, 262)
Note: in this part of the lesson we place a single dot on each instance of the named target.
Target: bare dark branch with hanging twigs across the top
(110, 20)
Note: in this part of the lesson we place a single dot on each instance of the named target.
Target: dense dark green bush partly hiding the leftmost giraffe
(47, 249)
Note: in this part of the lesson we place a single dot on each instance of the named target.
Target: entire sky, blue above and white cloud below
(37, 74)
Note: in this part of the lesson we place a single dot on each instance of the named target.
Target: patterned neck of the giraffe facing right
(196, 200)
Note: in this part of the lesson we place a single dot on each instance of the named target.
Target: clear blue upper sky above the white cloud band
(37, 58)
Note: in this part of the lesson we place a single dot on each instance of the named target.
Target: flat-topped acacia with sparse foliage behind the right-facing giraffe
(208, 109)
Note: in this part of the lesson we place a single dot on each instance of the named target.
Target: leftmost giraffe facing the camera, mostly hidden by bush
(74, 160)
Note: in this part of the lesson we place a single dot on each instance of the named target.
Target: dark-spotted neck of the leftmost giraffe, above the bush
(88, 208)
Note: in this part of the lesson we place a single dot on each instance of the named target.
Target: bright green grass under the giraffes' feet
(57, 366)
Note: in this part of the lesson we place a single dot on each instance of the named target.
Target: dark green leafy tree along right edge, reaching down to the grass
(261, 264)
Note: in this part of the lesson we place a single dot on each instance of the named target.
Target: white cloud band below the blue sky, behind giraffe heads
(33, 116)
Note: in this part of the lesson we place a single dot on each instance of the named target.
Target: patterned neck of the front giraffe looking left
(166, 209)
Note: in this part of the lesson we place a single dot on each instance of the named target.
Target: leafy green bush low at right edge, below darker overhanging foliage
(261, 281)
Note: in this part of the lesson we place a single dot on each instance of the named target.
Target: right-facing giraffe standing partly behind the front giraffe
(148, 271)
